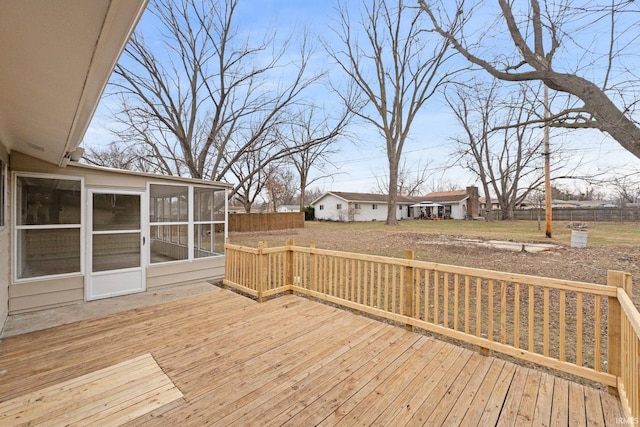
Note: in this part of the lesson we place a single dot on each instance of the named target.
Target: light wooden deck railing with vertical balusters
(584, 329)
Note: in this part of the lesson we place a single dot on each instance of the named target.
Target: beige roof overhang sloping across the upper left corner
(57, 57)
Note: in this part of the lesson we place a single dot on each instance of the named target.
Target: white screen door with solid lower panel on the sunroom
(115, 244)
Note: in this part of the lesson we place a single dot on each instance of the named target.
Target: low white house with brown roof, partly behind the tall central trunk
(341, 206)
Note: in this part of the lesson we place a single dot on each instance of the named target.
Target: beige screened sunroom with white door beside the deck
(83, 233)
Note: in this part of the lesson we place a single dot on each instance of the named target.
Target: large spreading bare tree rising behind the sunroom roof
(209, 94)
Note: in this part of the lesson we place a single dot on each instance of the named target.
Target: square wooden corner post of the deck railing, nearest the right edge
(614, 327)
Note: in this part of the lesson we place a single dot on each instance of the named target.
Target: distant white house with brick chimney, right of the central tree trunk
(459, 204)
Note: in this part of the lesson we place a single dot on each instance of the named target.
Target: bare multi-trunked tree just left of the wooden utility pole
(506, 159)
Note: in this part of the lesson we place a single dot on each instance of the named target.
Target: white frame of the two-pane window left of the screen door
(16, 227)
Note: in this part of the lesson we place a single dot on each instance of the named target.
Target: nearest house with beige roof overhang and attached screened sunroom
(70, 232)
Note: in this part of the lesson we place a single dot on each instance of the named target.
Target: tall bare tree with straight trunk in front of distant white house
(395, 71)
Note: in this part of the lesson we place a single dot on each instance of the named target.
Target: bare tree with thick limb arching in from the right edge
(557, 43)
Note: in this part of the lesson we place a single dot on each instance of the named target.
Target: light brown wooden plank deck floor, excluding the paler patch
(292, 361)
